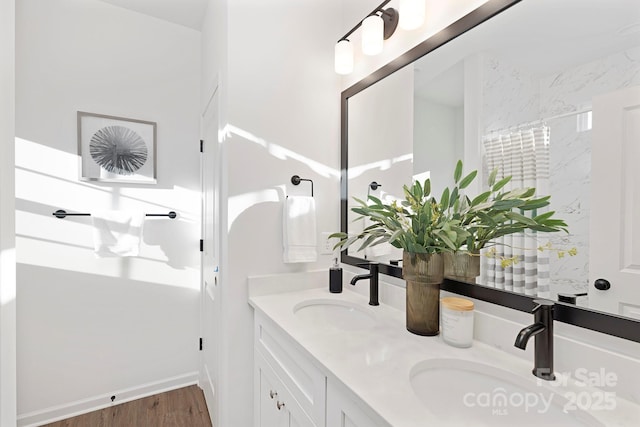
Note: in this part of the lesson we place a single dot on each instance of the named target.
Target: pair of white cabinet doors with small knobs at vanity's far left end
(275, 406)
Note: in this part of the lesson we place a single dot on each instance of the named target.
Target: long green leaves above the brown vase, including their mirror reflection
(422, 224)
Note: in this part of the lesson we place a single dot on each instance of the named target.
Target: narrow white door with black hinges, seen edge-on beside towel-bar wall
(210, 284)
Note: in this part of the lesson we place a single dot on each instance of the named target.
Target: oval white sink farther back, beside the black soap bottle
(334, 313)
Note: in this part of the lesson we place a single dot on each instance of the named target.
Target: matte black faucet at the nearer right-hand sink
(542, 328)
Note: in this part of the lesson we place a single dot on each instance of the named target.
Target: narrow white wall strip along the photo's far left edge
(7, 217)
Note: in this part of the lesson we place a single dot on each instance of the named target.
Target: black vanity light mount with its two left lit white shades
(378, 26)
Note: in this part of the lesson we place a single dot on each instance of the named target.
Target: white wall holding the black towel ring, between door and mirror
(281, 108)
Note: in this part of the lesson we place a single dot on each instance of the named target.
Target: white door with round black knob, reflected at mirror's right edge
(615, 203)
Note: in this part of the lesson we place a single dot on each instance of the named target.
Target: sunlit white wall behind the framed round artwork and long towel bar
(90, 328)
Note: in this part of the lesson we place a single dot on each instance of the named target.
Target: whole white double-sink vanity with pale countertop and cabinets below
(324, 359)
